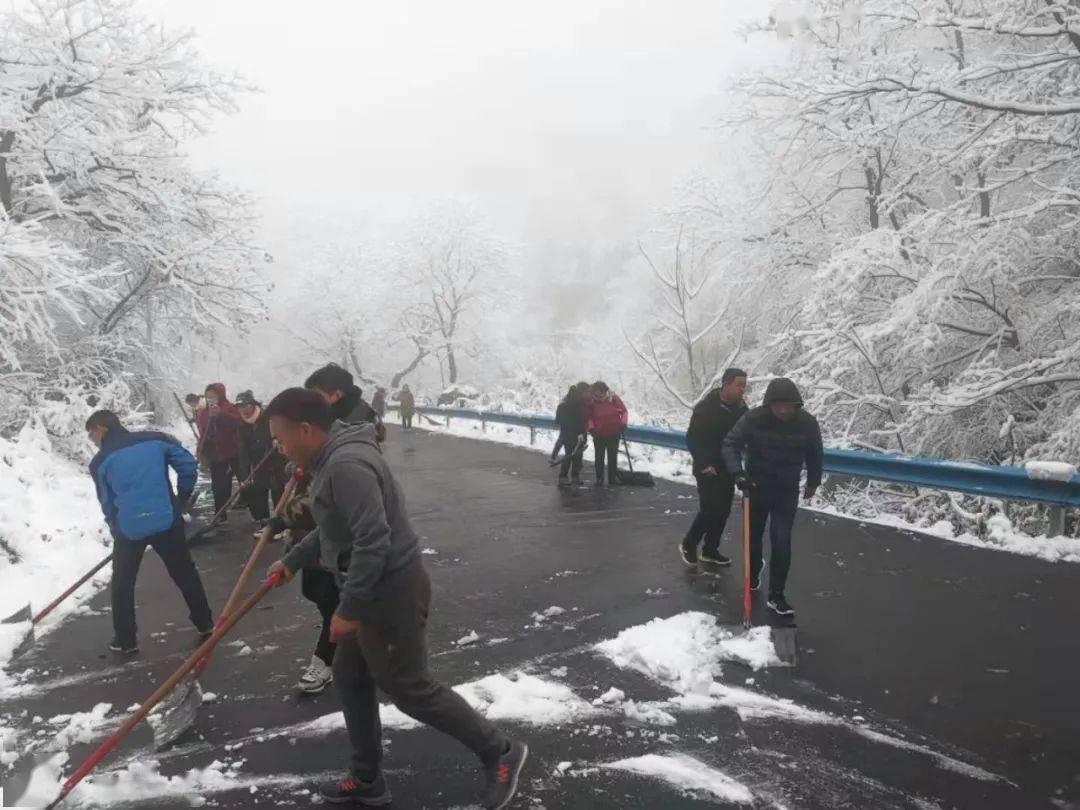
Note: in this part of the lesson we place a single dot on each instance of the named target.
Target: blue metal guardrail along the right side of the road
(1008, 483)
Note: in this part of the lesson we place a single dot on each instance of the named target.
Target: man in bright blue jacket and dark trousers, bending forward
(131, 474)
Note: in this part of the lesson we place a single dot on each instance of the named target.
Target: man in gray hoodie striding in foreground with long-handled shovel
(364, 536)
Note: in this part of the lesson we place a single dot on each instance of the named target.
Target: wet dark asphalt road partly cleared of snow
(967, 653)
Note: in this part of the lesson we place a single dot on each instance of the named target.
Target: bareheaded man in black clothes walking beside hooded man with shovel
(713, 417)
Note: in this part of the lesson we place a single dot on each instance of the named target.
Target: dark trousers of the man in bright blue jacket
(173, 550)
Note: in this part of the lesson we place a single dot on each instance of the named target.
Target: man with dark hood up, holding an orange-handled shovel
(776, 440)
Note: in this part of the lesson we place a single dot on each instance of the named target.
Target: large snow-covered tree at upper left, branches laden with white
(115, 250)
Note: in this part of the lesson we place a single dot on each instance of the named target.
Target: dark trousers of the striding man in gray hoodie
(390, 653)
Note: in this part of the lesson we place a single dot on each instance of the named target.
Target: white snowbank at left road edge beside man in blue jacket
(51, 532)
